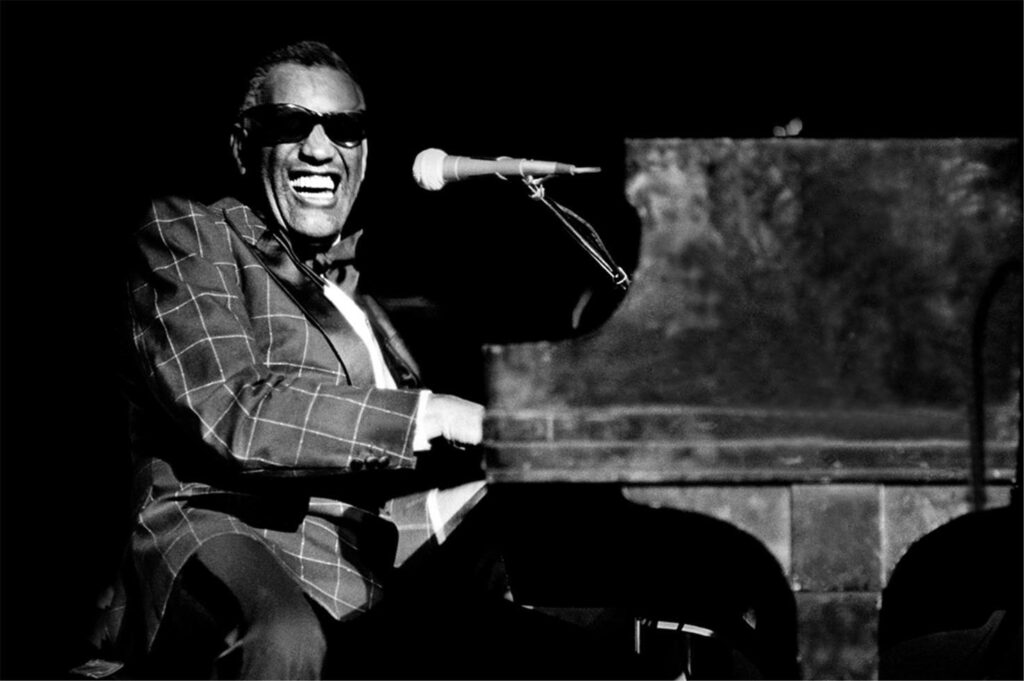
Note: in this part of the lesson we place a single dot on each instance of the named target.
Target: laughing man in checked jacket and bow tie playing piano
(274, 412)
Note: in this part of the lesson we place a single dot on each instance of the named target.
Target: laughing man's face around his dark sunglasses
(312, 185)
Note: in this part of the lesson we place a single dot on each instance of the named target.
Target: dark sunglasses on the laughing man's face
(278, 124)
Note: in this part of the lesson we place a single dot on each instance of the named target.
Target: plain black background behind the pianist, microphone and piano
(105, 105)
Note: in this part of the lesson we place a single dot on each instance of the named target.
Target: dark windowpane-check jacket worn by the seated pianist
(251, 414)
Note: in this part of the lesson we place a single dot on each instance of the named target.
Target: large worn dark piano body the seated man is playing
(792, 360)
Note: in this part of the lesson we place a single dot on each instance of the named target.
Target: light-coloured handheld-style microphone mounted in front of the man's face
(434, 168)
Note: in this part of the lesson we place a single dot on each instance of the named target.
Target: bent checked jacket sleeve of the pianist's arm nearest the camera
(195, 337)
